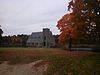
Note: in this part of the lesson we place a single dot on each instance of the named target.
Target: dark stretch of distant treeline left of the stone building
(14, 41)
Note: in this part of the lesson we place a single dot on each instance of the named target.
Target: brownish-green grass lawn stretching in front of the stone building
(61, 62)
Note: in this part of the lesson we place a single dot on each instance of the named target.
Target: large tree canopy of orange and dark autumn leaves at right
(82, 22)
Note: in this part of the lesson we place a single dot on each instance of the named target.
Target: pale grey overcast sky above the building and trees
(27, 16)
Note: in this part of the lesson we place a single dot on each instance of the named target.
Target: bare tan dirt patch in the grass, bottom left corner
(34, 68)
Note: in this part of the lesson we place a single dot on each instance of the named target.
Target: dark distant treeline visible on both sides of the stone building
(20, 41)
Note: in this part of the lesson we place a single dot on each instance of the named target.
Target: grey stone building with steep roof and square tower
(41, 39)
